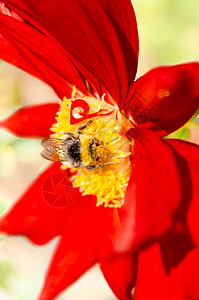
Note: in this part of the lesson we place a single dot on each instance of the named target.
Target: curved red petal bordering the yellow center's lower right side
(153, 194)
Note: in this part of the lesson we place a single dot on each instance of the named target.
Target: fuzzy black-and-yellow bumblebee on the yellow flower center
(75, 150)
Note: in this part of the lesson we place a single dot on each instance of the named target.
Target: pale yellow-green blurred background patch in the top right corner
(168, 30)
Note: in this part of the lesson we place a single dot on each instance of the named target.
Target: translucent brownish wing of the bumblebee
(54, 149)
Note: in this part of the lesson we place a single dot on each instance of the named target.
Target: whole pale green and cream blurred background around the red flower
(169, 34)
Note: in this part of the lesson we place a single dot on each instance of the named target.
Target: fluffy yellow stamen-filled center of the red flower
(99, 154)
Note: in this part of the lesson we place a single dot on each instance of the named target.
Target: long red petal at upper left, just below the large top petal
(32, 51)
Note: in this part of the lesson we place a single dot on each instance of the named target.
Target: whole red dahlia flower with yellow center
(130, 198)
